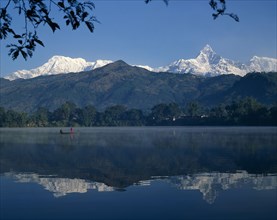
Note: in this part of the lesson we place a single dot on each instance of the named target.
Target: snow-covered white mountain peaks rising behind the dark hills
(207, 63)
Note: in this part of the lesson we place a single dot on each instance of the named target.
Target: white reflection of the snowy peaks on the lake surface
(209, 184)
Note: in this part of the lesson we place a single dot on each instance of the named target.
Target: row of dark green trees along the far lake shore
(243, 112)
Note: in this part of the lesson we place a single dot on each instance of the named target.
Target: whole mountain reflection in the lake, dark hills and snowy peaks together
(108, 159)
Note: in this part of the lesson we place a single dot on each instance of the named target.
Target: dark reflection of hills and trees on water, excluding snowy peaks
(120, 157)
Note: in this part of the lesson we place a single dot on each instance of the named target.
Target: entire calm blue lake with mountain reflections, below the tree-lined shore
(139, 173)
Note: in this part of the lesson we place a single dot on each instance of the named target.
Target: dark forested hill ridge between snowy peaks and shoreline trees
(121, 84)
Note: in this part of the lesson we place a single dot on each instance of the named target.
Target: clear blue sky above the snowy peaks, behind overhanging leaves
(155, 35)
